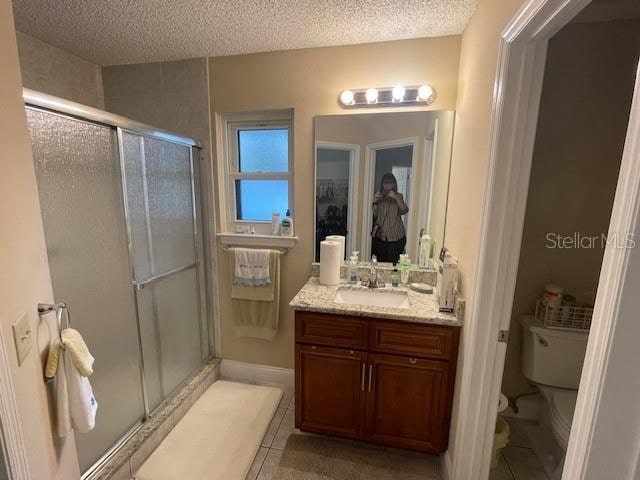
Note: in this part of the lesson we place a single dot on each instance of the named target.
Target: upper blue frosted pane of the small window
(263, 150)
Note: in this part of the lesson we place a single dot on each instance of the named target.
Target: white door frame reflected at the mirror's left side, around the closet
(354, 176)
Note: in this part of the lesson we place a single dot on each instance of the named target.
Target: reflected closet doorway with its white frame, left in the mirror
(336, 187)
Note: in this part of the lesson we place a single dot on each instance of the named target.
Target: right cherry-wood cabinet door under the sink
(406, 403)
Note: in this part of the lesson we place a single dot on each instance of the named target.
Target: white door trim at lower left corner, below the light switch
(10, 429)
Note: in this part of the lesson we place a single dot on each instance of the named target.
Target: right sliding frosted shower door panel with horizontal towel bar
(160, 200)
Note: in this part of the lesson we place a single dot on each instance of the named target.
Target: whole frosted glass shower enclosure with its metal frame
(122, 222)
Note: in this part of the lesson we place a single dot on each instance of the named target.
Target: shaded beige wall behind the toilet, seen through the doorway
(575, 167)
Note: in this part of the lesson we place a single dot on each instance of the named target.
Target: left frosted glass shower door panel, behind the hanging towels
(78, 177)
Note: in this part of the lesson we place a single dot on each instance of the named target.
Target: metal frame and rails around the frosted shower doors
(120, 125)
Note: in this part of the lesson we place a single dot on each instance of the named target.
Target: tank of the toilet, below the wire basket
(552, 357)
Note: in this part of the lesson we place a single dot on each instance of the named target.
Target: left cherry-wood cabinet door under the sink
(330, 385)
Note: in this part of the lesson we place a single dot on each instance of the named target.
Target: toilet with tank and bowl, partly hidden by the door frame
(552, 359)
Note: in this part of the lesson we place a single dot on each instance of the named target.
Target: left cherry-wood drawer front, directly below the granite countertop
(331, 330)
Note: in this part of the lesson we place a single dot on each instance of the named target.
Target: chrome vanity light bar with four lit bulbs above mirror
(397, 96)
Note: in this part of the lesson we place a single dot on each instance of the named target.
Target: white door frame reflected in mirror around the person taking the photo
(369, 178)
